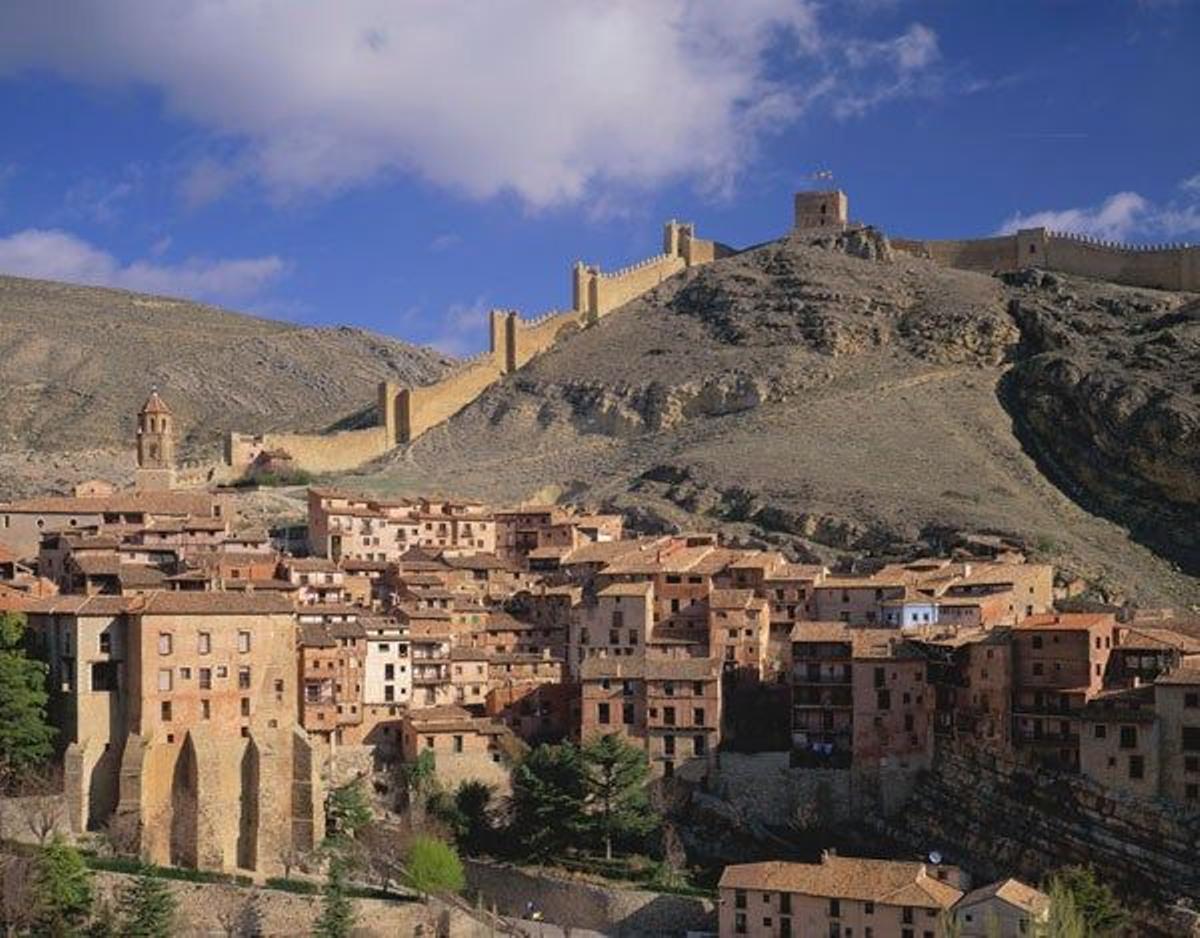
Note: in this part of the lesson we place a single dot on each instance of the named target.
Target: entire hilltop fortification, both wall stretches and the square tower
(406, 413)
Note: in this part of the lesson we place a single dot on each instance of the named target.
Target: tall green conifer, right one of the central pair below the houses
(615, 775)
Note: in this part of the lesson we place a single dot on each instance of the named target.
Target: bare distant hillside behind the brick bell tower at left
(76, 363)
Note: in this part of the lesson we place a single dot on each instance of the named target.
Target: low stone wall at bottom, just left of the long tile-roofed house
(583, 904)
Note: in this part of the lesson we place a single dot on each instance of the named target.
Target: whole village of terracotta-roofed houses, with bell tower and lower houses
(208, 684)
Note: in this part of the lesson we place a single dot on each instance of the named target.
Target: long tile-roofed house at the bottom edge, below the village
(839, 895)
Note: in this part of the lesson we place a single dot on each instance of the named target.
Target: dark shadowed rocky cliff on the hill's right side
(1108, 398)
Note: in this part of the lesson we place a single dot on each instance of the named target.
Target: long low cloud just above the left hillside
(61, 256)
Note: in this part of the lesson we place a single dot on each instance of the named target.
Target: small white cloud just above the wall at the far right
(1121, 218)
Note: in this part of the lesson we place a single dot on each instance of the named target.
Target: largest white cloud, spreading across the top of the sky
(553, 101)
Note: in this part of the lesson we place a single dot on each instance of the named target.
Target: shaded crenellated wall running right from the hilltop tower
(1160, 267)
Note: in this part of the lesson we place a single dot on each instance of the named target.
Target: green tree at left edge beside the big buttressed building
(26, 737)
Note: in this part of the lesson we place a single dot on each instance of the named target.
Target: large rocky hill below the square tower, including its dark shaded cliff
(844, 402)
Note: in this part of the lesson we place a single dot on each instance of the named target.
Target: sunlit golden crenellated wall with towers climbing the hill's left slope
(406, 413)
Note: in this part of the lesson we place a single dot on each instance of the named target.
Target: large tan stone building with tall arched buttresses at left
(181, 717)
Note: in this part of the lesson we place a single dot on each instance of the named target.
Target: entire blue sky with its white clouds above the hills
(406, 166)
